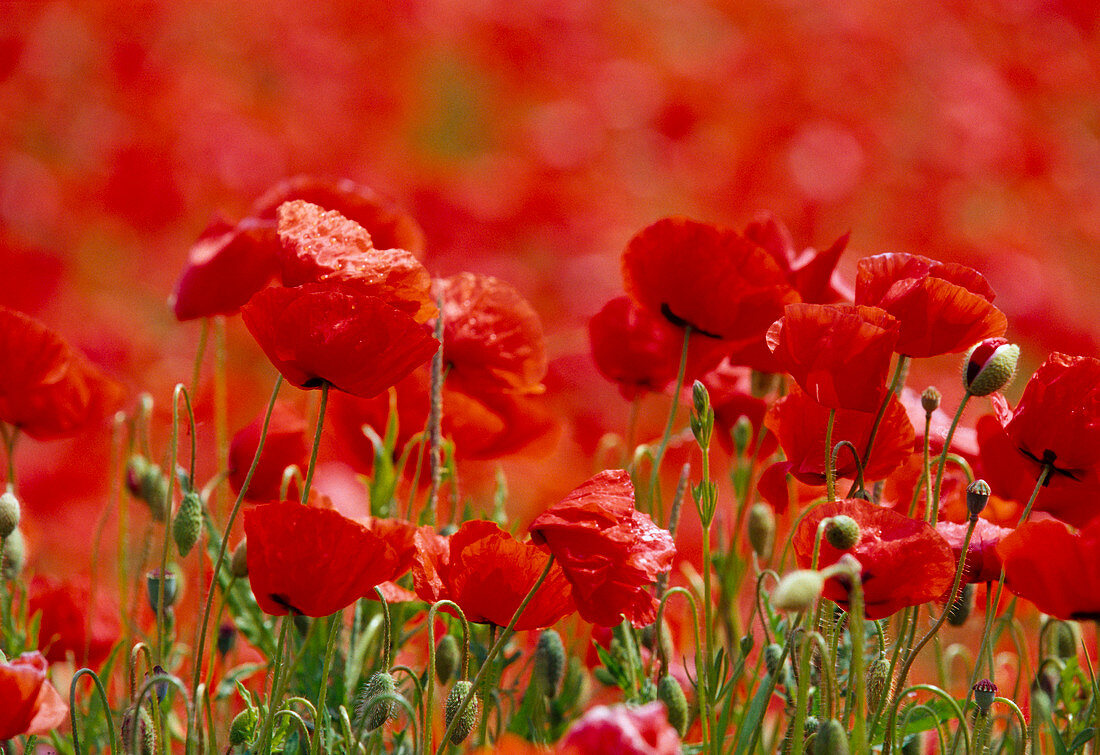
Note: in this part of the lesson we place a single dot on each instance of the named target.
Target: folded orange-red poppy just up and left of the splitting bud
(942, 308)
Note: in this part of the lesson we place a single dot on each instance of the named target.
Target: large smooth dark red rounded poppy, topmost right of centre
(712, 279)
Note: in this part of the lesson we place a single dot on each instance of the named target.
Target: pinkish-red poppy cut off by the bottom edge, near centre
(621, 729)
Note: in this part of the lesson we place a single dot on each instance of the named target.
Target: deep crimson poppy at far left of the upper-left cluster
(225, 268)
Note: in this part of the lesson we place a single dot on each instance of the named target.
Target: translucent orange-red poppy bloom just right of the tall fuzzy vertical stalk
(492, 337)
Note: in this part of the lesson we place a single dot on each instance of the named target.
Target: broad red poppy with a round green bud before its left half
(905, 562)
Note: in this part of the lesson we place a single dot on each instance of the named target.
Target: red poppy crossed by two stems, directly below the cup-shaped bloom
(799, 422)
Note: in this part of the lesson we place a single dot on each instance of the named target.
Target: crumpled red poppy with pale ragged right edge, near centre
(611, 552)
